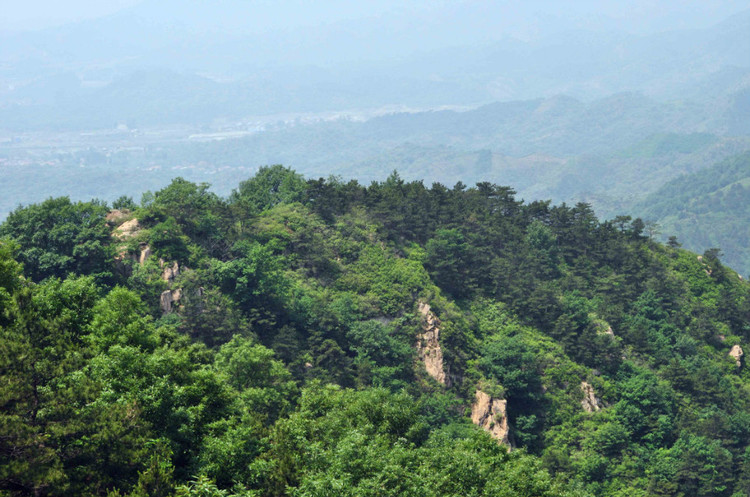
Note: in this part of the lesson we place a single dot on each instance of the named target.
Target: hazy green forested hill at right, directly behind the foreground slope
(709, 208)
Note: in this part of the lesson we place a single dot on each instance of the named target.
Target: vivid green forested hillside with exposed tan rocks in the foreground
(320, 337)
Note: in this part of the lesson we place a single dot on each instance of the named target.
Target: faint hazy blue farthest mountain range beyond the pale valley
(147, 67)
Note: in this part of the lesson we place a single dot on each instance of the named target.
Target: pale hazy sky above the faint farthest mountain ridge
(634, 15)
